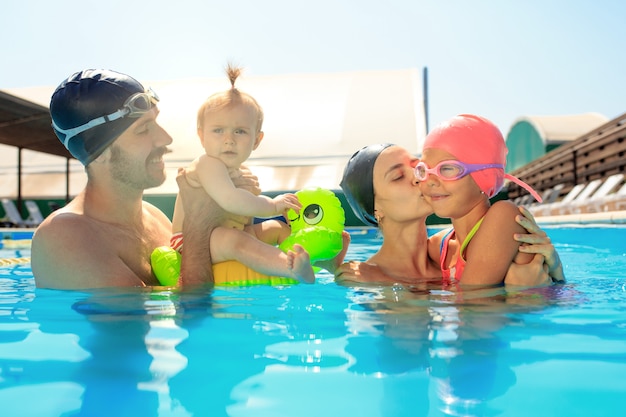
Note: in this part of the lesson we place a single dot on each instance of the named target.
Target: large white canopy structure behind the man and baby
(313, 124)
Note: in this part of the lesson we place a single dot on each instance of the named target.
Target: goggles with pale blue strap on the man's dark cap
(135, 106)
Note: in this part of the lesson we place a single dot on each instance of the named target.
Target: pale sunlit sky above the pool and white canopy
(501, 59)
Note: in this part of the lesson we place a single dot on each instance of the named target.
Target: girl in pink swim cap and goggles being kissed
(462, 166)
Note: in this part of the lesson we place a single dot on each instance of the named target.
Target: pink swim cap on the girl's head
(475, 140)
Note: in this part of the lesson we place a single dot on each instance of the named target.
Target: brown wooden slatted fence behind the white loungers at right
(597, 154)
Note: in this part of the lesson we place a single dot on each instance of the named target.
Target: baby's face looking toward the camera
(230, 134)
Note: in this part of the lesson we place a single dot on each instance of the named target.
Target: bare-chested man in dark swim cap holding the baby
(105, 235)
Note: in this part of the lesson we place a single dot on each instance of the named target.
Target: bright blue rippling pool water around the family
(321, 350)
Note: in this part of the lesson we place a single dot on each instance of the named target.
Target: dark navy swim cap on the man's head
(85, 96)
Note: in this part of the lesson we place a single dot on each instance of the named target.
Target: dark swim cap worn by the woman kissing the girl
(358, 182)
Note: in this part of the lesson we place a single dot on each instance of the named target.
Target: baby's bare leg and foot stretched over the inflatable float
(231, 244)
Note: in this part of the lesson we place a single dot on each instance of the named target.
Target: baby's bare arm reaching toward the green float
(213, 175)
